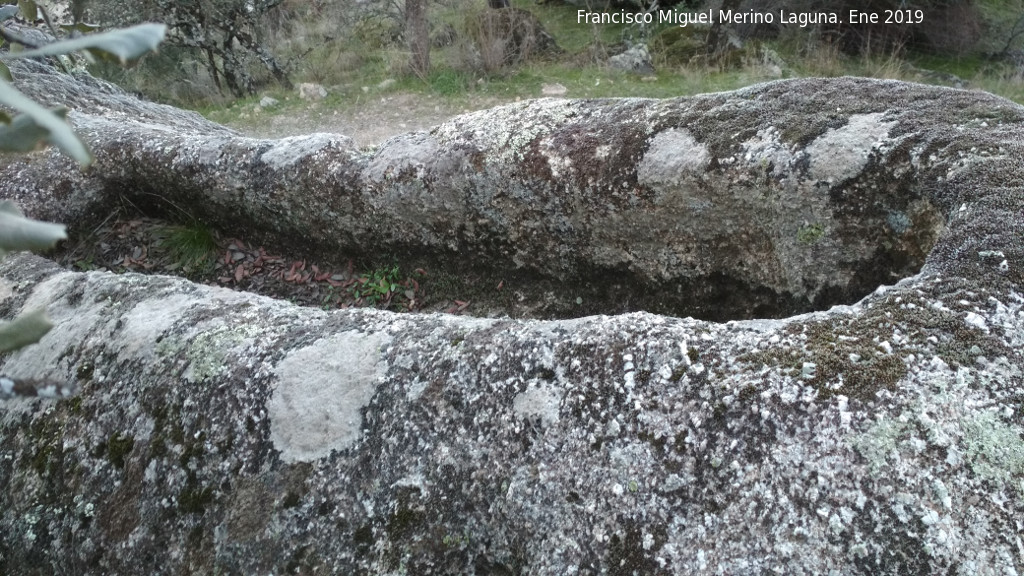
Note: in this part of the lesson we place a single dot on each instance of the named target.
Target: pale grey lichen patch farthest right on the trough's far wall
(841, 154)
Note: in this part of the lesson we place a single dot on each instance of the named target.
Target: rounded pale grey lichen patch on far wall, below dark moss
(673, 157)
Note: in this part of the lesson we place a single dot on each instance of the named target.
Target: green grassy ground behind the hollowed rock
(355, 65)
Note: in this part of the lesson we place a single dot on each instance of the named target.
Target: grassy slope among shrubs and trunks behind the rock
(361, 57)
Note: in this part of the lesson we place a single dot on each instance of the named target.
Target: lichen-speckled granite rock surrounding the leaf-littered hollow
(223, 433)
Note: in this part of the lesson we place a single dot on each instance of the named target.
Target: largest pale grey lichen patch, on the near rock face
(321, 389)
